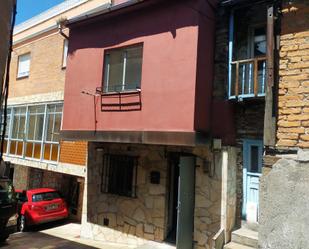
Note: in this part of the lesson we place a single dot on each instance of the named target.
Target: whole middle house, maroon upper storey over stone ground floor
(139, 90)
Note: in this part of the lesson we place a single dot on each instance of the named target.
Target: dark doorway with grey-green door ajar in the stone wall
(181, 201)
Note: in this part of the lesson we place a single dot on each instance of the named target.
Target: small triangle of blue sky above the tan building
(29, 8)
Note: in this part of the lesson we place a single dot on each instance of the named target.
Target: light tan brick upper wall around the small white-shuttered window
(46, 73)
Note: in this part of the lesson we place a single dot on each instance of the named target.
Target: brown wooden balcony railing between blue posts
(247, 78)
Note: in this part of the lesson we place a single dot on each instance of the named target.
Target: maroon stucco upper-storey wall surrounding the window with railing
(177, 69)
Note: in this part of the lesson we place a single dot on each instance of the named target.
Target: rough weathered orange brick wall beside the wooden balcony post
(293, 117)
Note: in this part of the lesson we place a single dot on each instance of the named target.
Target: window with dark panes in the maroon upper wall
(123, 69)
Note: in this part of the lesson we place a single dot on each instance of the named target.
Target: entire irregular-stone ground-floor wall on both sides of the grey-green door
(132, 221)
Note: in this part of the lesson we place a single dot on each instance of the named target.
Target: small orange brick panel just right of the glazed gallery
(73, 152)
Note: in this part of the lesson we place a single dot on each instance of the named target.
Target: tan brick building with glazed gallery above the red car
(34, 115)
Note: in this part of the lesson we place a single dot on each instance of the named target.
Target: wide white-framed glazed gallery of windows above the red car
(33, 131)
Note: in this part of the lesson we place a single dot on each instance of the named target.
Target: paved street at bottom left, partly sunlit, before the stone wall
(62, 235)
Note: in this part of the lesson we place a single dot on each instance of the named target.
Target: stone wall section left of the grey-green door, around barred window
(131, 220)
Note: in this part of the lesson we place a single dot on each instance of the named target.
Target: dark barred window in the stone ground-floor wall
(119, 175)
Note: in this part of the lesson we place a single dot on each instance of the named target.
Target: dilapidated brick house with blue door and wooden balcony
(261, 70)
